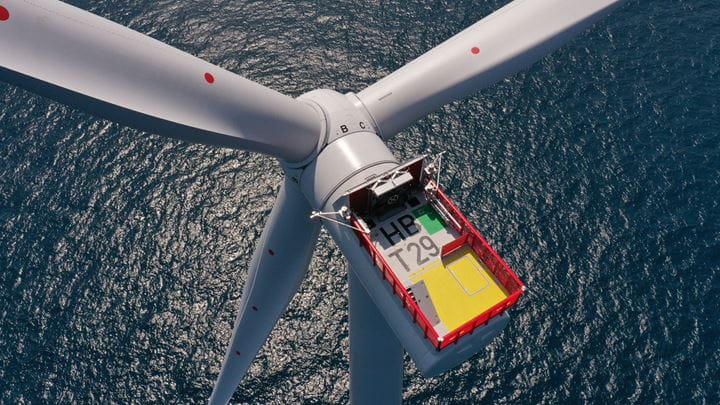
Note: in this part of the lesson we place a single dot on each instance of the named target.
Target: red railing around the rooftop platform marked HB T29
(469, 237)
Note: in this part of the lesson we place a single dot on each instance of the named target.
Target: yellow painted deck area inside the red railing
(460, 286)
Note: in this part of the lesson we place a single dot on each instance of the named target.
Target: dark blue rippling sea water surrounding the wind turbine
(596, 174)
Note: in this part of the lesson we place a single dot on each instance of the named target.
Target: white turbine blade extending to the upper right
(502, 44)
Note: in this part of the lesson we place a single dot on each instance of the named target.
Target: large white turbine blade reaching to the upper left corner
(83, 60)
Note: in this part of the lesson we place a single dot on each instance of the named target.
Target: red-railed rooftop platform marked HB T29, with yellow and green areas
(441, 268)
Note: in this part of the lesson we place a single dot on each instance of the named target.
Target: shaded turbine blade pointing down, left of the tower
(280, 261)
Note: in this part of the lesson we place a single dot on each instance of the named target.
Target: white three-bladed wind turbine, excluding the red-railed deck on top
(329, 144)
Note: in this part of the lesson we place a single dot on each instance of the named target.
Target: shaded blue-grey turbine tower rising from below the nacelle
(376, 356)
